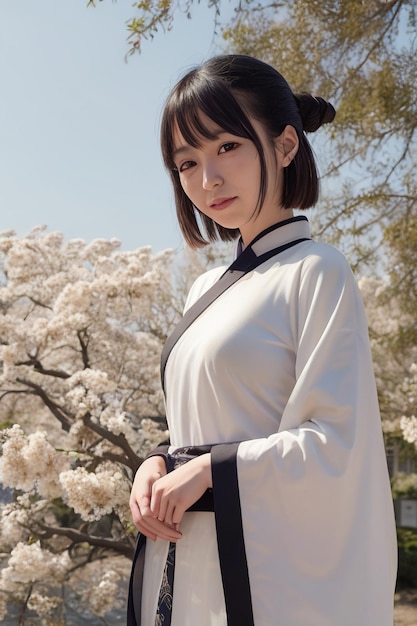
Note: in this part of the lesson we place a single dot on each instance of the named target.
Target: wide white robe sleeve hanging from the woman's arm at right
(315, 499)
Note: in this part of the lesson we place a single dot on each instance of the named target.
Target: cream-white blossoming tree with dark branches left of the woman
(81, 331)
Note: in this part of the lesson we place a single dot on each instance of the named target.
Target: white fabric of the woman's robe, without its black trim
(281, 363)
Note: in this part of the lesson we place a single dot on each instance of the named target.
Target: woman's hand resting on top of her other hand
(175, 492)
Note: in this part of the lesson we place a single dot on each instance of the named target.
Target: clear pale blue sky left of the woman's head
(79, 146)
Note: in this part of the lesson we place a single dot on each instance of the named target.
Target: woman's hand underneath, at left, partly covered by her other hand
(144, 519)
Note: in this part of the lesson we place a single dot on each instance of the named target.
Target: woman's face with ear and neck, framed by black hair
(222, 178)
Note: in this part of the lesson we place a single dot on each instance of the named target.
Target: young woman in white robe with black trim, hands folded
(268, 381)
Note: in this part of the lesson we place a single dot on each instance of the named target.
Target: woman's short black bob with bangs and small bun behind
(229, 89)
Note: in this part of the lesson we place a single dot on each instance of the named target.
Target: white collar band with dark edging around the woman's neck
(279, 234)
